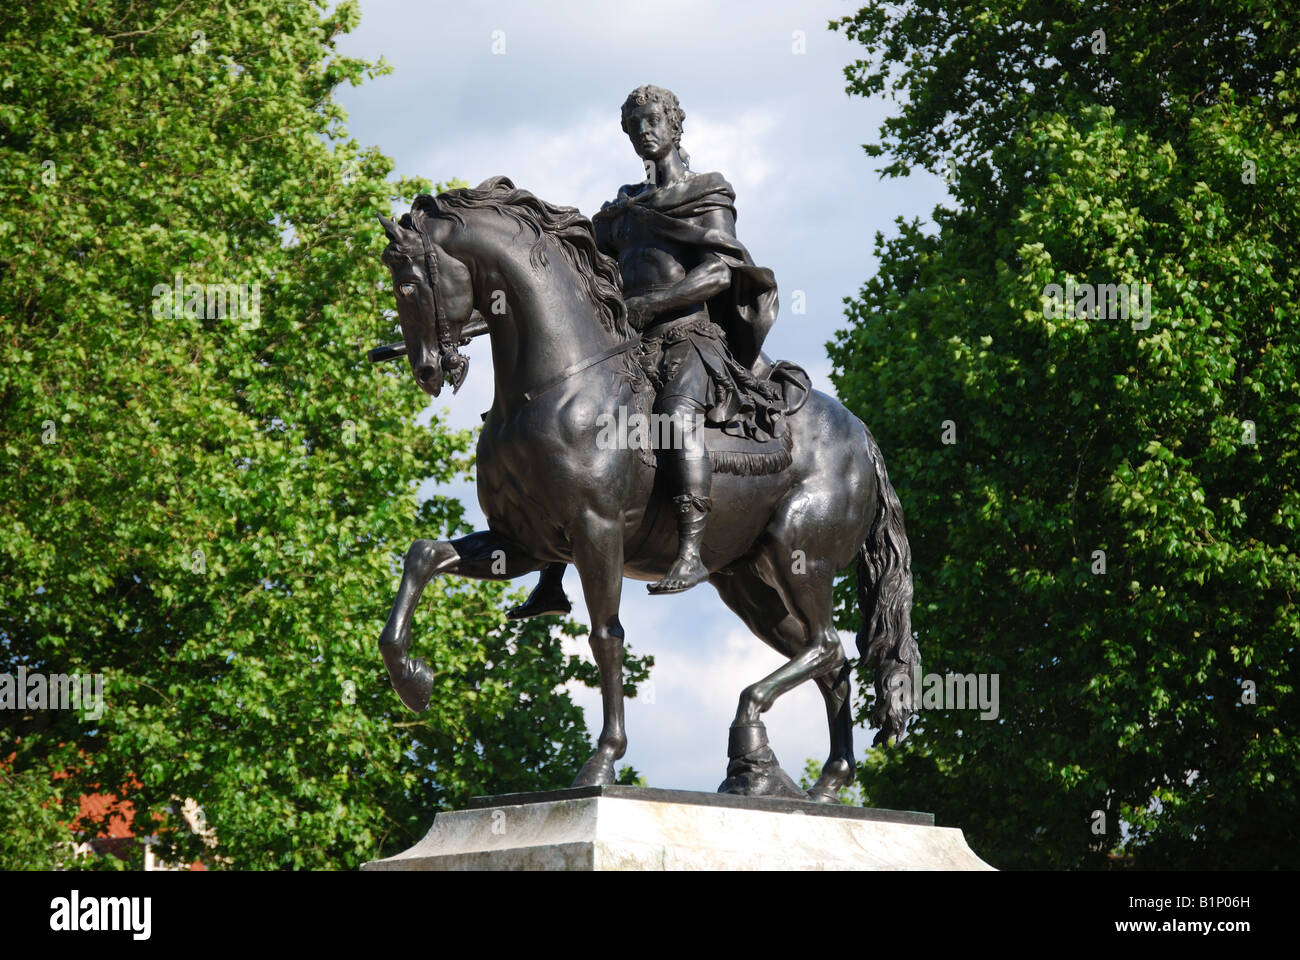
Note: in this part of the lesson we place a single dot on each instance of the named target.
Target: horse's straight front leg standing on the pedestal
(599, 556)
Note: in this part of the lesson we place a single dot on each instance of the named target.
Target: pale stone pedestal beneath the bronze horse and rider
(638, 829)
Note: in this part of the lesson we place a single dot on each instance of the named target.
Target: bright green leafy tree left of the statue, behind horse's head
(207, 504)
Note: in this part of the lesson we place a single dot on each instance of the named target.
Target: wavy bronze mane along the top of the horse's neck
(573, 232)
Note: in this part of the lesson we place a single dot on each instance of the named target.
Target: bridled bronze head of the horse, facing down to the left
(436, 301)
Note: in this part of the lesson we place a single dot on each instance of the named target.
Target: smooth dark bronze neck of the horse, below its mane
(549, 327)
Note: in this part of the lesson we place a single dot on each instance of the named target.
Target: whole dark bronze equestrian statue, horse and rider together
(655, 309)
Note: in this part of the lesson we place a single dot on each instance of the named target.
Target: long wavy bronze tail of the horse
(885, 604)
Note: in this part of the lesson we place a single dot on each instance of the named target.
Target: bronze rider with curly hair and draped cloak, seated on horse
(704, 310)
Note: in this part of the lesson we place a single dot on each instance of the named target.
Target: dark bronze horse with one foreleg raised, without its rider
(499, 261)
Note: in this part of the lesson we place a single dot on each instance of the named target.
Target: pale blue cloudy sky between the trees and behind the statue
(544, 110)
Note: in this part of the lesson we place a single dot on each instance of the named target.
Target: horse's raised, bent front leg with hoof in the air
(483, 556)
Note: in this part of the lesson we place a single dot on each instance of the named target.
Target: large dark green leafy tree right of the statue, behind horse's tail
(1112, 531)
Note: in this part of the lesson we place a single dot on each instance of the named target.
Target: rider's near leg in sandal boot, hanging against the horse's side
(694, 481)
